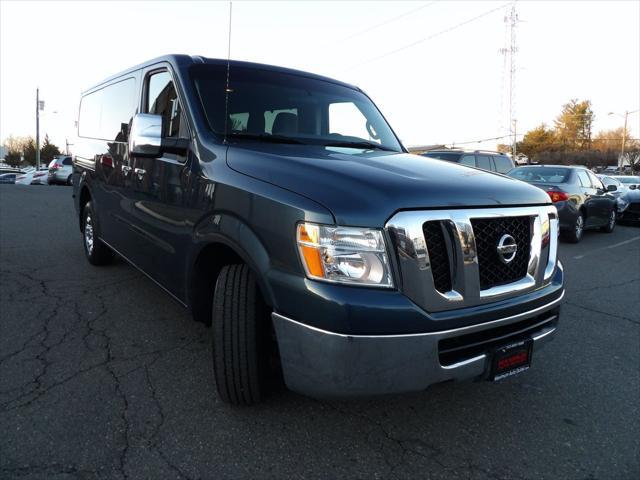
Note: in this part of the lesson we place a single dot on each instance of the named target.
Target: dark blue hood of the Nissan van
(365, 187)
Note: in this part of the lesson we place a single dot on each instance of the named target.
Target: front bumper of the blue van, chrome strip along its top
(320, 363)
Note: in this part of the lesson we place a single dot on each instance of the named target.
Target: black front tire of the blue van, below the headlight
(239, 318)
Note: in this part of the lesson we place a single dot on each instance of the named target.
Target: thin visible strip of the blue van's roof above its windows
(179, 61)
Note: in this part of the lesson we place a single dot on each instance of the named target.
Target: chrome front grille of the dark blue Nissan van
(465, 247)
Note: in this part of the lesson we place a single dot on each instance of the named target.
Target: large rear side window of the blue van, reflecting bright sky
(105, 114)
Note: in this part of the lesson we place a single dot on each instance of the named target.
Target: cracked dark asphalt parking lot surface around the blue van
(102, 375)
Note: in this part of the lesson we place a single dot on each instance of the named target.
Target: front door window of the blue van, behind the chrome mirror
(162, 99)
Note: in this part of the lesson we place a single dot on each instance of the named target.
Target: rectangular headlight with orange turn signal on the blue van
(344, 254)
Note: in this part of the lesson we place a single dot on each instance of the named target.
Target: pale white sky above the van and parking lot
(437, 78)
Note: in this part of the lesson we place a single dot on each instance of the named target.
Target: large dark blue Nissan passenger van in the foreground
(281, 208)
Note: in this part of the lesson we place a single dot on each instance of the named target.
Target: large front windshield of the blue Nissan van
(270, 106)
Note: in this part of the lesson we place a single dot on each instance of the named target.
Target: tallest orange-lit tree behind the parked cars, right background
(573, 125)
